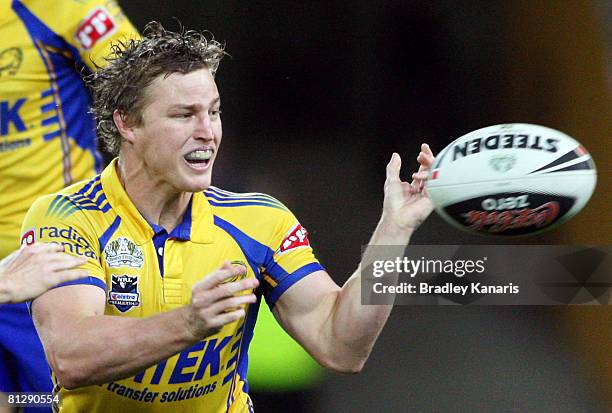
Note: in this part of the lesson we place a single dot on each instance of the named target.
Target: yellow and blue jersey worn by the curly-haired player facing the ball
(144, 270)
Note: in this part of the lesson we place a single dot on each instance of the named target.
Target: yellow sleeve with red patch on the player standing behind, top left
(90, 27)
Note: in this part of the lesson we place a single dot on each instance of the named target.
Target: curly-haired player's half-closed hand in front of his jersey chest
(216, 302)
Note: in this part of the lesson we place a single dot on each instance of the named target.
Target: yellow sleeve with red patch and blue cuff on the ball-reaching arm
(292, 258)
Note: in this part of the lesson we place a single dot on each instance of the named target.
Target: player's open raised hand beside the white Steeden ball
(407, 204)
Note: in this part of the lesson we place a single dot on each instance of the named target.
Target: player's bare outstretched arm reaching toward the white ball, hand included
(329, 321)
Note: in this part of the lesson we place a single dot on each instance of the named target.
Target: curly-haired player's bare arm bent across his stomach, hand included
(76, 334)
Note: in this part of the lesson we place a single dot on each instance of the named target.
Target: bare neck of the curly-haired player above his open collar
(158, 204)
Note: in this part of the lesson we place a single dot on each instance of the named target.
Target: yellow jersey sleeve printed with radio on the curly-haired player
(75, 233)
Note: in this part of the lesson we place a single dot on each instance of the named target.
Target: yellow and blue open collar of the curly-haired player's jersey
(198, 227)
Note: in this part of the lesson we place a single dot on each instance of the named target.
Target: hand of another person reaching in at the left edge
(32, 270)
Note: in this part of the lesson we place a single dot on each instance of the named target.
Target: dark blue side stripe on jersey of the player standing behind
(78, 126)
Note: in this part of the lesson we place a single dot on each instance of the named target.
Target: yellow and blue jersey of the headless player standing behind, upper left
(47, 138)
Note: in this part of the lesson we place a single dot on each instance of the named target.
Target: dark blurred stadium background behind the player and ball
(318, 94)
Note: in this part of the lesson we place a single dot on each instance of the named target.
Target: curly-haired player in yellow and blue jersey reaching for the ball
(177, 267)
